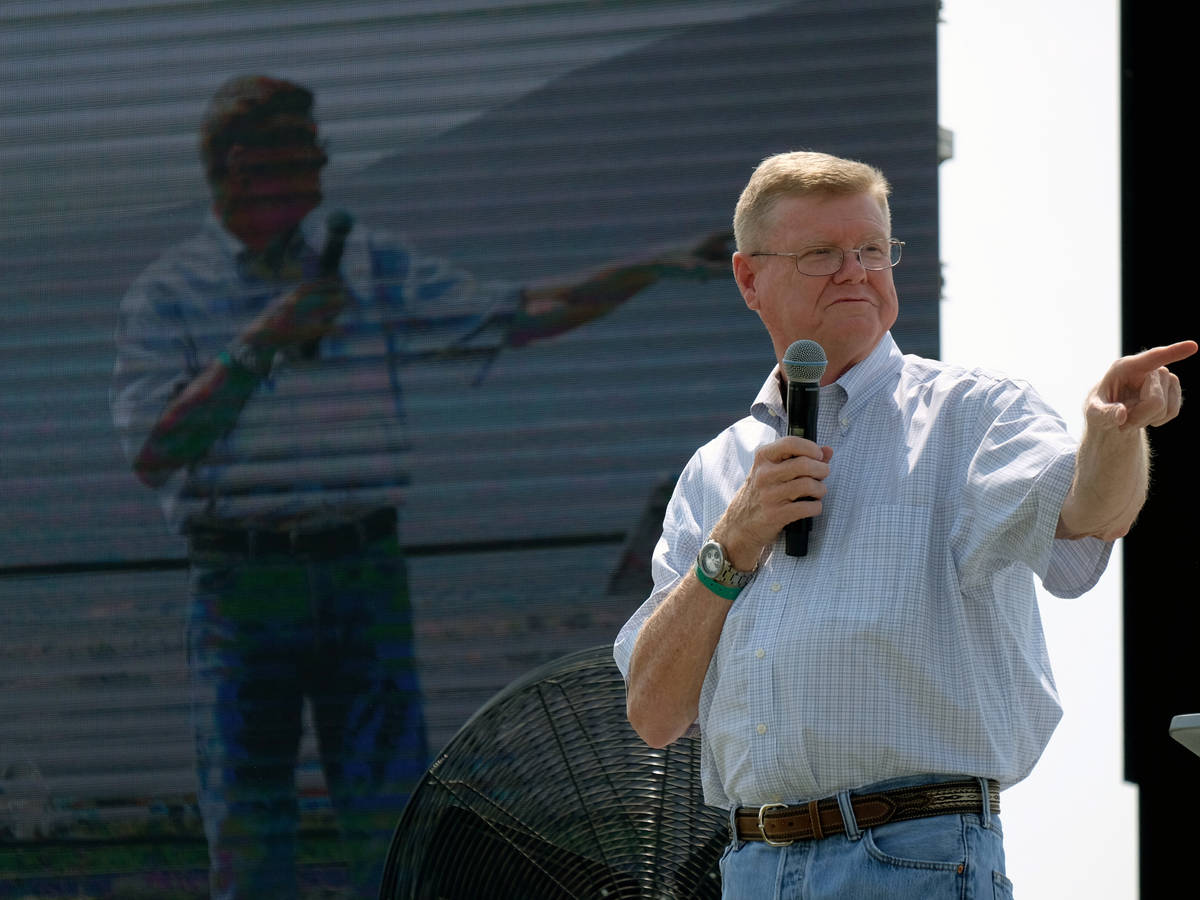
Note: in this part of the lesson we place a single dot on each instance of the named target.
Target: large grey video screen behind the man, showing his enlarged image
(493, 148)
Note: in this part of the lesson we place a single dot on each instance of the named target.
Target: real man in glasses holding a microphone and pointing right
(862, 705)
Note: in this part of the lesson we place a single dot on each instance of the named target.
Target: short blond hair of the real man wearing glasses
(802, 173)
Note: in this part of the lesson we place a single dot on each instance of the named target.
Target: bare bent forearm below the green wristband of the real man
(671, 659)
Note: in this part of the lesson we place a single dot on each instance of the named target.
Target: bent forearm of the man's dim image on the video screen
(203, 412)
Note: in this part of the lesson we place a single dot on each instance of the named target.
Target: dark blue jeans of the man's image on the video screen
(265, 635)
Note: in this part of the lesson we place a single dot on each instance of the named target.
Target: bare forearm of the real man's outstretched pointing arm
(1111, 484)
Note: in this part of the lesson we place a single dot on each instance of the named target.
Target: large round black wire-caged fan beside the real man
(548, 794)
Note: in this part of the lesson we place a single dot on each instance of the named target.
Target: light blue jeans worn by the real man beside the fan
(937, 859)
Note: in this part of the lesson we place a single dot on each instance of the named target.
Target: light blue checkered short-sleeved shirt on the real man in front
(909, 640)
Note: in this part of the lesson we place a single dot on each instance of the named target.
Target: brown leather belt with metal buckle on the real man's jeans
(781, 825)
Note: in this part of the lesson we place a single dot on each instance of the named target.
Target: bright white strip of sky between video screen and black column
(1030, 231)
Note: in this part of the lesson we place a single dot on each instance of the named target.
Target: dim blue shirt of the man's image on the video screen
(316, 437)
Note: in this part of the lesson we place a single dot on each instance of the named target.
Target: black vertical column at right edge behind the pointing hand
(1161, 227)
